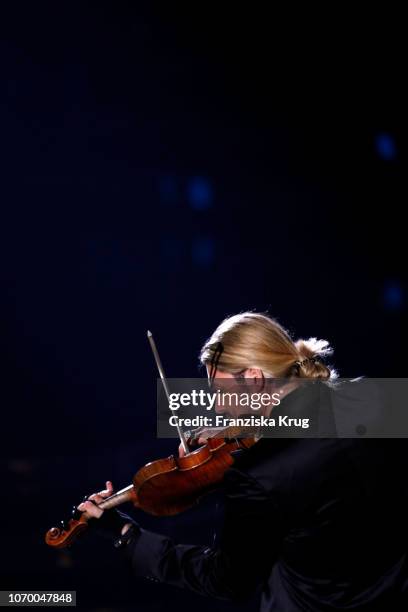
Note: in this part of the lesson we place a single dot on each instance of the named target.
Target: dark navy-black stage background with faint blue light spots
(164, 166)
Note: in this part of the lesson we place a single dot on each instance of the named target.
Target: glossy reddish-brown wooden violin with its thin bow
(167, 486)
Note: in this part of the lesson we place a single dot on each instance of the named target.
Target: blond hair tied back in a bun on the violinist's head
(255, 340)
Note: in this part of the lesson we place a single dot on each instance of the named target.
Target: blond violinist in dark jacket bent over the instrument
(313, 524)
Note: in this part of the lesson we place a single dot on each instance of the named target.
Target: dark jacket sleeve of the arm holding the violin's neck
(248, 546)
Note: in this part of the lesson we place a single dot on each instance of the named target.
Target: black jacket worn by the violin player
(316, 524)
